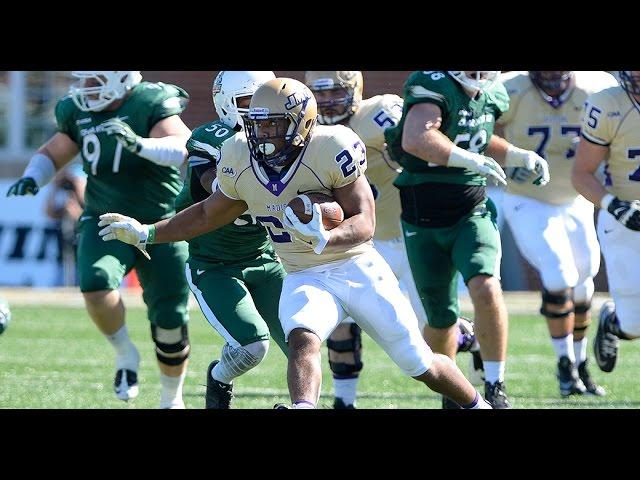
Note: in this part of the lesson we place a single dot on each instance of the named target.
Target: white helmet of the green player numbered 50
(228, 86)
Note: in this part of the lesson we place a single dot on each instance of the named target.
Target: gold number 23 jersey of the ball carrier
(333, 157)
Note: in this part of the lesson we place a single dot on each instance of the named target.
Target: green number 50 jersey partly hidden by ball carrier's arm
(238, 242)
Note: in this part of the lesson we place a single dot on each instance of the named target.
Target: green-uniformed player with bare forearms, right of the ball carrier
(446, 146)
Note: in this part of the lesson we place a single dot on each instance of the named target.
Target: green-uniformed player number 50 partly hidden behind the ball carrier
(233, 272)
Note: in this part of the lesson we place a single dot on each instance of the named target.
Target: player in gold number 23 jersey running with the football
(330, 274)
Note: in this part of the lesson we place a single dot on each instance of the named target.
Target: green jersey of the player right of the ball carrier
(467, 122)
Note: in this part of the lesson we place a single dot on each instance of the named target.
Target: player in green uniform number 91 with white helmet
(132, 142)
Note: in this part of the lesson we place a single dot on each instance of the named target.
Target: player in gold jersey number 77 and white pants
(553, 226)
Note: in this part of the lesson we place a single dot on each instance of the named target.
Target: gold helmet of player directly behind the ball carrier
(348, 86)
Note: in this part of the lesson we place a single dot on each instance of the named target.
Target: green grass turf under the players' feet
(56, 358)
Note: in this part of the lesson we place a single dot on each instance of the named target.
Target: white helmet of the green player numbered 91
(106, 88)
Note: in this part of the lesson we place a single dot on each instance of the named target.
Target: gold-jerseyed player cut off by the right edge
(611, 134)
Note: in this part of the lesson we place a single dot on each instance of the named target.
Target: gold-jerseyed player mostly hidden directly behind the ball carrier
(339, 98)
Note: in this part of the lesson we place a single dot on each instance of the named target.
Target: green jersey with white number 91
(118, 180)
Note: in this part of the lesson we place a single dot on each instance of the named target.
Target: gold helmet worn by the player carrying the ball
(281, 117)
